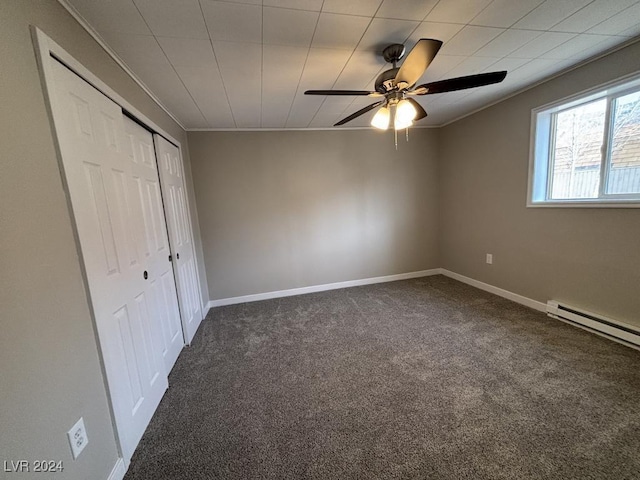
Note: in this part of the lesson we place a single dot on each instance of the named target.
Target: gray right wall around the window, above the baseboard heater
(587, 257)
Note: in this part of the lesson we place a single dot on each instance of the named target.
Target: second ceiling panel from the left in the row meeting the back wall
(204, 84)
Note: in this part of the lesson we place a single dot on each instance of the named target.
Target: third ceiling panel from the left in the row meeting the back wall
(241, 69)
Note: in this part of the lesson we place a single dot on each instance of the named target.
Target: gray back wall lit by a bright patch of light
(281, 210)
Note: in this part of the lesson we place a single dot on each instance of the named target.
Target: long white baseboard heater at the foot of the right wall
(607, 327)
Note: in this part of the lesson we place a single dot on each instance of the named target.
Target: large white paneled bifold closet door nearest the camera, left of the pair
(112, 180)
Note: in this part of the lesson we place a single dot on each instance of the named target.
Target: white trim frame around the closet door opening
(45, 48)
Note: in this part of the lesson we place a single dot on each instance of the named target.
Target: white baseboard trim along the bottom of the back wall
(320, 288)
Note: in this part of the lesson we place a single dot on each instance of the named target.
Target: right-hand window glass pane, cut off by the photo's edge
(624, 172)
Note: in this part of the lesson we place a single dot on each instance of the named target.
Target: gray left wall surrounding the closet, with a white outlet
(50, 373)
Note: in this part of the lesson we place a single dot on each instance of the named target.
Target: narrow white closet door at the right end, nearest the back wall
(177, 212)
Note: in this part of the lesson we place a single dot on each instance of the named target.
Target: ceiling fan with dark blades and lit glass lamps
(397, 83)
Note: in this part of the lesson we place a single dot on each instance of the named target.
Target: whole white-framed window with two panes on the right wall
(586, 150)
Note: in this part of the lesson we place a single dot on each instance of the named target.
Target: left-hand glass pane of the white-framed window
(576, 153)
